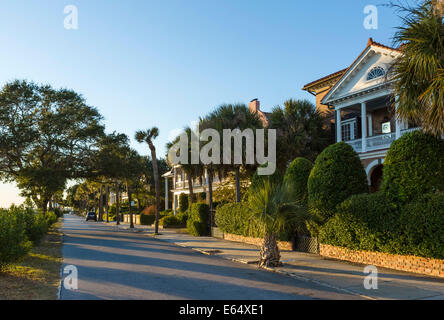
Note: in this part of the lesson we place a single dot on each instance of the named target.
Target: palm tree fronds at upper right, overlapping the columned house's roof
(419, 72)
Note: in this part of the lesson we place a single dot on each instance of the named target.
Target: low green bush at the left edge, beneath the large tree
(14, 243)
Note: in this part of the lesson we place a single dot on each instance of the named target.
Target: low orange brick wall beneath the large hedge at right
(431, 267)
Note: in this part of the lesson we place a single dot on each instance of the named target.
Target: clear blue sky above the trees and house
(146, 63)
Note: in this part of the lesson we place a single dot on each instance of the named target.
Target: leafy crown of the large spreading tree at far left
(46, 136)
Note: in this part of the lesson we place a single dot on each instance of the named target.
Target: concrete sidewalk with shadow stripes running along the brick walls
(340, 275)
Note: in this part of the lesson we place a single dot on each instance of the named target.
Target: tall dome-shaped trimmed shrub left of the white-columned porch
(336, 175)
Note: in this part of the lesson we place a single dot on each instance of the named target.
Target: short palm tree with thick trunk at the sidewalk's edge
(274, 209)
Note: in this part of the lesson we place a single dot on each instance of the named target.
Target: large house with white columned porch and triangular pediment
(359, 102)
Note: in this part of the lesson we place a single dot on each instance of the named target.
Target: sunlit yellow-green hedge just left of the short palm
(236, 218)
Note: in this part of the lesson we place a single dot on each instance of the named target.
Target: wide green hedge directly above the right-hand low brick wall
(376, 223)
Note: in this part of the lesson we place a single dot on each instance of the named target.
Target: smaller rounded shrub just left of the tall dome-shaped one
(296, 177)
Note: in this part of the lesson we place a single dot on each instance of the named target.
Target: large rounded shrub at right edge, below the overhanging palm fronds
(414, 166)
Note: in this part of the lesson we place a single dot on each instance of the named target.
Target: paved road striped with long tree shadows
(113, 264)
